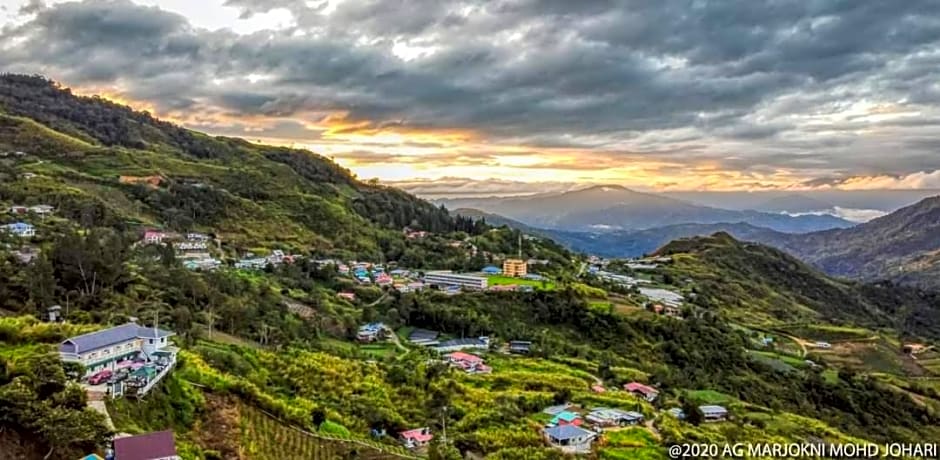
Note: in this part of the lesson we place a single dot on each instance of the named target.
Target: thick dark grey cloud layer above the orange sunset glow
(617, 75)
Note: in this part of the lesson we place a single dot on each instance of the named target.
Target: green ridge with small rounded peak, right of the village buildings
(759, 284)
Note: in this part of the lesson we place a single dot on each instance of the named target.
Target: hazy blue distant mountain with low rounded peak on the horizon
(615, 208)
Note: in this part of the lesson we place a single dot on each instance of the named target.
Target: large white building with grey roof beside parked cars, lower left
(116, 347)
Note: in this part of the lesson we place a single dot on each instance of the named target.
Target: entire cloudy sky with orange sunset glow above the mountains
(517, 95)
